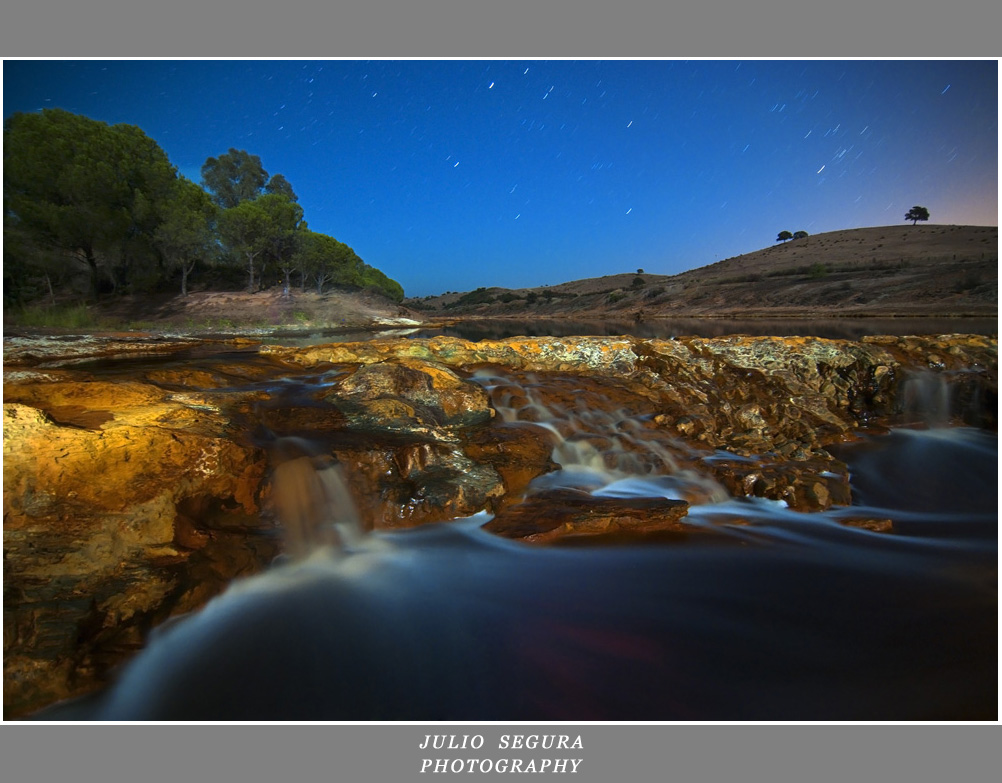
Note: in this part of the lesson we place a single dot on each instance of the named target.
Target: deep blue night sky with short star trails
(452, 175)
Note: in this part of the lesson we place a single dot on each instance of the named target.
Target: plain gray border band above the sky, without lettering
(515, 29)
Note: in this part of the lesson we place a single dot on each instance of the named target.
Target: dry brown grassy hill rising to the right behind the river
(914, 271)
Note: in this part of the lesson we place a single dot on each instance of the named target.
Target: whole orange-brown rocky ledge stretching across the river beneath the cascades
(142, 475)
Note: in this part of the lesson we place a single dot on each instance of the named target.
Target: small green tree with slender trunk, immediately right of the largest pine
(187, 233)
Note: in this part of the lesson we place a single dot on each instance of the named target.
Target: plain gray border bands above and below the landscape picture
(517, 29)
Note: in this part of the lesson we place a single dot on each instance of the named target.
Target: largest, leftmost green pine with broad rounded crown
(86, 189)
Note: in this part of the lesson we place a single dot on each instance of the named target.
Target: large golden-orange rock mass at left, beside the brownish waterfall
(93, 501)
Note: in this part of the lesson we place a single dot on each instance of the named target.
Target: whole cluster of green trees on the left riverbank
(99, 208)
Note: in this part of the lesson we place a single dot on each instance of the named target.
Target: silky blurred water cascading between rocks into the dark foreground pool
(777, 616)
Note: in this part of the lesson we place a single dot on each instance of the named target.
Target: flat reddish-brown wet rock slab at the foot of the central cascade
(563, 515)
